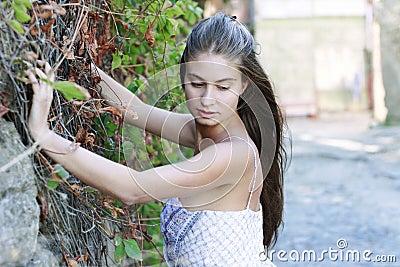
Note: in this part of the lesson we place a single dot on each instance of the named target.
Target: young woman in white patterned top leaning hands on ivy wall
(224, 205)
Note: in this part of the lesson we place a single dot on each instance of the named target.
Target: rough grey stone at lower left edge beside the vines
(19, 211)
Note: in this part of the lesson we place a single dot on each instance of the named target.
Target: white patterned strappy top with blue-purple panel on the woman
(212, 238)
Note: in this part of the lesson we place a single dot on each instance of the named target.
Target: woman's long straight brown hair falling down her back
(257, 107)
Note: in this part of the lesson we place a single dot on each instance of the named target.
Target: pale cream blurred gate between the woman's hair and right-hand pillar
(316, 52)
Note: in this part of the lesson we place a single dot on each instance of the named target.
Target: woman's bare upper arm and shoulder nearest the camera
(216, 165)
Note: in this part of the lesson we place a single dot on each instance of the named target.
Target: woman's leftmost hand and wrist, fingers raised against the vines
(41, 101)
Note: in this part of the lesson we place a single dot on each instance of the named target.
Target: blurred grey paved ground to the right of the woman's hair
(343, 184)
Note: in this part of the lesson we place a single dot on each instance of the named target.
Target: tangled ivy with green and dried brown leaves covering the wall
(132, 41)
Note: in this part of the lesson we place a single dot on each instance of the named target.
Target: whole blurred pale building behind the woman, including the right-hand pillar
(322, 55)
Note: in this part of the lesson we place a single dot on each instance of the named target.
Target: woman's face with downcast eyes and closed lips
(212, 88)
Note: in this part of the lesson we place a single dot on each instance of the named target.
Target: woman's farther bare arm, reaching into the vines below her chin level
(175, 127)
